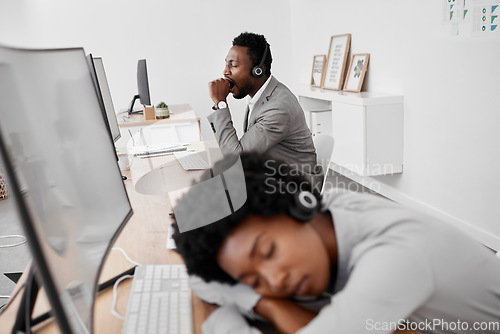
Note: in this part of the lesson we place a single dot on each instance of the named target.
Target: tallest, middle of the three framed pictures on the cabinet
(337, 60)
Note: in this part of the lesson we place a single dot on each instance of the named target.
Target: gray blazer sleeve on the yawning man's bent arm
(271, 128)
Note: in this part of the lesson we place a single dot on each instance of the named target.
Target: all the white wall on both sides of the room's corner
(451, 85)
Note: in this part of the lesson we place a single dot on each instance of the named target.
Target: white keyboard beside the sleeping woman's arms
(160, 301)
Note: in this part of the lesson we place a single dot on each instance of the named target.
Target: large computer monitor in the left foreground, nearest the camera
(62, 173)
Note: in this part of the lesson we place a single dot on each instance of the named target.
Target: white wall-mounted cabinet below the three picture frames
(367, 128)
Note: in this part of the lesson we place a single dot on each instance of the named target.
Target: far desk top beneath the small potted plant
(178, 113)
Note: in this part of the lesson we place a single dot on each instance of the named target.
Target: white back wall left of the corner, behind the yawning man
(184, 42)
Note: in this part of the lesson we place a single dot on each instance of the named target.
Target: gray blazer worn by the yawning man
(277, 127)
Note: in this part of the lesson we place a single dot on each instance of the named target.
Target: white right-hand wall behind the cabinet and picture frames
(451, 89)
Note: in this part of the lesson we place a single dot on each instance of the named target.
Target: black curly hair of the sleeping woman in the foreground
(270, 186)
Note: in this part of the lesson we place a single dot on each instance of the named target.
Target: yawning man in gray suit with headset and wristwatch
(274, 121)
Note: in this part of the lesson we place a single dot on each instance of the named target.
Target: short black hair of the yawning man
(256, 45)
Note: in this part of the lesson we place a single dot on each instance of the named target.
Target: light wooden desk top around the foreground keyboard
(147, 227)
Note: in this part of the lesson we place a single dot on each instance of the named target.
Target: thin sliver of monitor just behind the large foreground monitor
(101, 83)
